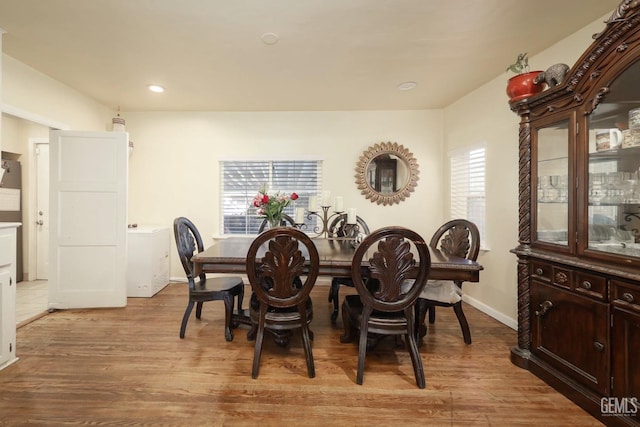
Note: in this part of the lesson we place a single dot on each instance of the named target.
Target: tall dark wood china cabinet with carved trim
(578, 257)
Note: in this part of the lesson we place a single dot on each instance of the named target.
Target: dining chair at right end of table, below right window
(461, 238)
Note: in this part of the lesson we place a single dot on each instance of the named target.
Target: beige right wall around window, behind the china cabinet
(484, 116)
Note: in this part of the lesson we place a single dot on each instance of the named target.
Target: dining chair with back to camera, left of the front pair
(282, 276)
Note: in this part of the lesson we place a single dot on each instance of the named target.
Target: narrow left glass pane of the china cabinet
(552, 183)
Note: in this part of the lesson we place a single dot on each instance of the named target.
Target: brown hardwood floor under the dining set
(128, 366)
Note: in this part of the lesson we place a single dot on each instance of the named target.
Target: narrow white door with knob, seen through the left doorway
(42, 211)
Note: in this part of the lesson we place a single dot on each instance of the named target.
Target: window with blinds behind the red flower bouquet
(242, 179)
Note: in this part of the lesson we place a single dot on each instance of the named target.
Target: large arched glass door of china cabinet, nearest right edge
(614, 160)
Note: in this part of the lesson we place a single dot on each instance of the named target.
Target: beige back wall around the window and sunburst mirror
(178, 154)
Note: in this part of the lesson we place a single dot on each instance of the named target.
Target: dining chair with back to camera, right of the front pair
(396, 273)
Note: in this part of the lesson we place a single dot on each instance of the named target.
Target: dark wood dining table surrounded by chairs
(229, 254)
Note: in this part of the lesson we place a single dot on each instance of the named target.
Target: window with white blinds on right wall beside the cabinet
(468, 186)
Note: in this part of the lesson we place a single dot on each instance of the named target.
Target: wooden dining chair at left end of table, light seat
(201, 288)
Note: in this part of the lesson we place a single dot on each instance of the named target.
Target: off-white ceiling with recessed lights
(331, 54)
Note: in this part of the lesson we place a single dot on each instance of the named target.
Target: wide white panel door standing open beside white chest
(88, 213)
